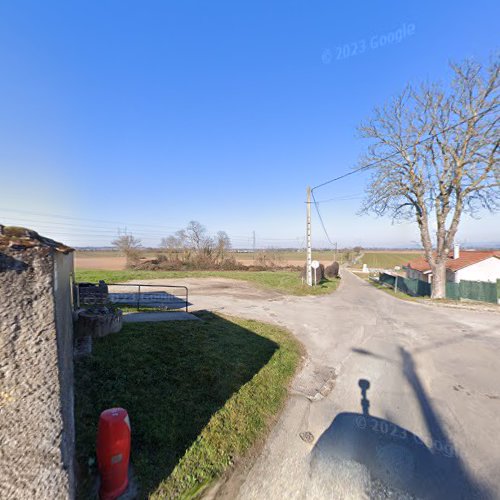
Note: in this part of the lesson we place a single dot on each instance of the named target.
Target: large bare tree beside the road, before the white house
(437, 155)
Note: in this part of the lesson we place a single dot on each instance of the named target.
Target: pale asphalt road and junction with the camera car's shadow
(395, 400)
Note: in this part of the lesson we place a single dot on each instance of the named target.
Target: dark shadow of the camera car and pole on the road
(386, 460)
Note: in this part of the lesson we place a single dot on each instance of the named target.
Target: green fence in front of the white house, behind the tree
(474, 290)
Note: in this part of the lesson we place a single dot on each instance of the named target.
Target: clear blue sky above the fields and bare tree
(150, 114)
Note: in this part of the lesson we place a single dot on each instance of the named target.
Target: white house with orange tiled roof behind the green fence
(469, 265)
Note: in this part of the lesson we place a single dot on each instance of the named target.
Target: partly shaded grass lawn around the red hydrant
(199, 394)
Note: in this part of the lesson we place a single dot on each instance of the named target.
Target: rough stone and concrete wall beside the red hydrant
(36, 375)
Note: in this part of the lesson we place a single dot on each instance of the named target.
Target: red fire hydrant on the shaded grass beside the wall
(113, 452)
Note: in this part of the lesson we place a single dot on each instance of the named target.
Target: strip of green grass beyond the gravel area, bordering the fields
(287, 282)
